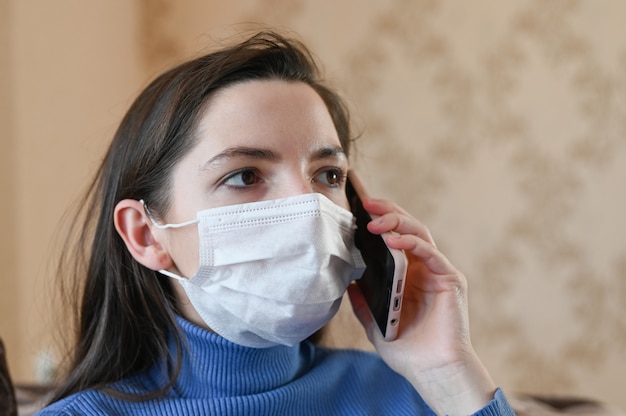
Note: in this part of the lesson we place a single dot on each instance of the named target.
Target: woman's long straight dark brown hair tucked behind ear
(125, 313)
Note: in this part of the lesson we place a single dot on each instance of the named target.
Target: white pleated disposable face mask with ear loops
(272, 272)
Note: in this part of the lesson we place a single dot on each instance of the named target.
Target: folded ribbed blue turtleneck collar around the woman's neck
(216, 367)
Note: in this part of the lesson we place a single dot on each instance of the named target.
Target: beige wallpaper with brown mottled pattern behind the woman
(500, 124)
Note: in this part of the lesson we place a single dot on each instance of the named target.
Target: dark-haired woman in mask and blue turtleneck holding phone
(220, 161)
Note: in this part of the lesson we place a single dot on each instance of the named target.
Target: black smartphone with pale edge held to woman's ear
(382, 283)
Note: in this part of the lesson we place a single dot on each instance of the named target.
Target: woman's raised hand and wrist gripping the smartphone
(433, 349)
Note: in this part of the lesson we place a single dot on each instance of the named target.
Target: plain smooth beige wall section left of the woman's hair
(72, 73)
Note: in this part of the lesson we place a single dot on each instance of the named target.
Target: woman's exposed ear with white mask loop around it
(134, 226)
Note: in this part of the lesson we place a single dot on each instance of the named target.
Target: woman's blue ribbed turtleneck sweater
(219, 377)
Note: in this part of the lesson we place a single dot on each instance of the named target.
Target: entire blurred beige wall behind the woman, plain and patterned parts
(500, 124)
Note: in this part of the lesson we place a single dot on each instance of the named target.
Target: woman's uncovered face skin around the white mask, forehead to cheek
(257, 140)
